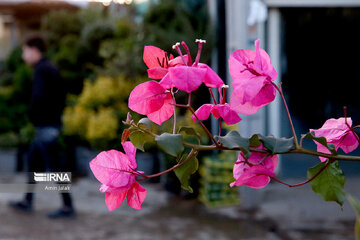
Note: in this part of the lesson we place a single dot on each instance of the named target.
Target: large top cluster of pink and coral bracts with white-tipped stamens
(155, 99)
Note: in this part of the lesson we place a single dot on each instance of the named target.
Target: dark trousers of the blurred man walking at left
(44, 155)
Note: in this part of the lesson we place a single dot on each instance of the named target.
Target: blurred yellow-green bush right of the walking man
(96, 114)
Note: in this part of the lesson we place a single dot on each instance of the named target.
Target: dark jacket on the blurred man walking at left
(48, 95)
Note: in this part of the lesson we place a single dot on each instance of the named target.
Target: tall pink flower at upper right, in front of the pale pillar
(252, 75)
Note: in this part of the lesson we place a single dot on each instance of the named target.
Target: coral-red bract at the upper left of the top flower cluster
(158, 62)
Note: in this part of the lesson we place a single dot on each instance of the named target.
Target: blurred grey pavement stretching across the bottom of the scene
(282, 213)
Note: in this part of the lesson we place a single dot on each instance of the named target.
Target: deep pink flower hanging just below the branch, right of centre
(256, 172)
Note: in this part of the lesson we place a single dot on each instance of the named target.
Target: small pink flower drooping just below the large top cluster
(220, 110)
